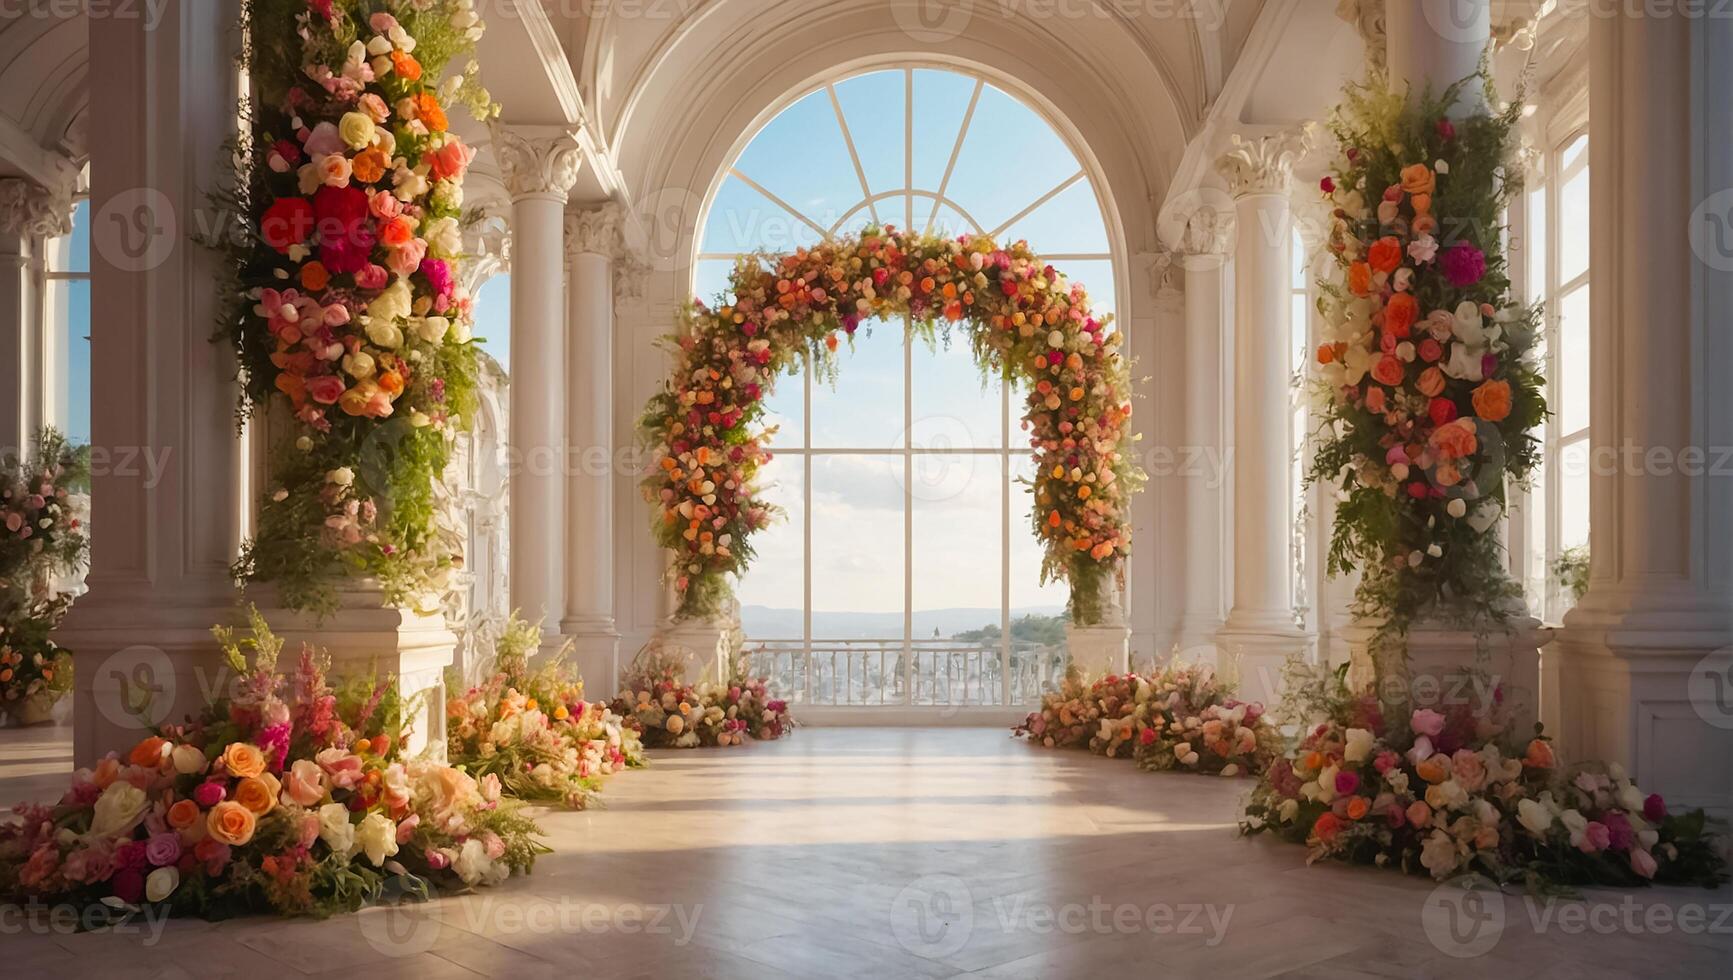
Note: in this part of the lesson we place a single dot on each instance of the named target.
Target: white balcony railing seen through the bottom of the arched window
(907, 672)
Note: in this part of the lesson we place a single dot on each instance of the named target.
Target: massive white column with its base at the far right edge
(1645, 665)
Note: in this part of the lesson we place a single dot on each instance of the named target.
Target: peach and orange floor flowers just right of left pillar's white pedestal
(533, 733)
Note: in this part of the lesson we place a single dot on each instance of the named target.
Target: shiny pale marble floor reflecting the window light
(909, 853)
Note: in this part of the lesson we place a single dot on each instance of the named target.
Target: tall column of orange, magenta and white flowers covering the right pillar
(1429, 367)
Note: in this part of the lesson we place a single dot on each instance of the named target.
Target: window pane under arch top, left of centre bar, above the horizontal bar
(864, 408)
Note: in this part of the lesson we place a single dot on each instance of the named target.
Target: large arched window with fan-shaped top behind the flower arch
(907, 572)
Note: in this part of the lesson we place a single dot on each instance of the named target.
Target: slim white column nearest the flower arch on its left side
(592, 240)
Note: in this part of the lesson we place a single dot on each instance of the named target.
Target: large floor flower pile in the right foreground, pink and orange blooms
(1453, 792)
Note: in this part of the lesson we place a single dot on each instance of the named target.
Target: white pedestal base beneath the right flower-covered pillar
(1441, 665)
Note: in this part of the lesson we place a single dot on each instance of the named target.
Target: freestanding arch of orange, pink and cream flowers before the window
(1025, 323)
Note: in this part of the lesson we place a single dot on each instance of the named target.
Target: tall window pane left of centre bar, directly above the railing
(857, 547)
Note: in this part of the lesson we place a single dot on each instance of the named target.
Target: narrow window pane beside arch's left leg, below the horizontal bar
(772, 592)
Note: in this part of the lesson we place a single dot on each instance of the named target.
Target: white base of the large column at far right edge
(1656, 700)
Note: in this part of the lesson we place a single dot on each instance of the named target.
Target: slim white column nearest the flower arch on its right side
(1205, 469)
